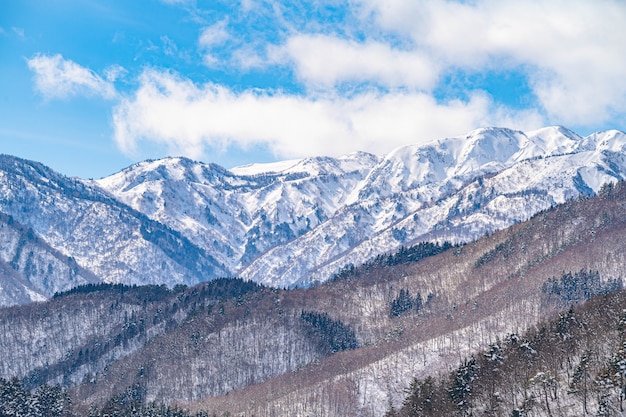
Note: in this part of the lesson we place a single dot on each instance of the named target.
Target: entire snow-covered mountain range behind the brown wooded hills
(288, 224)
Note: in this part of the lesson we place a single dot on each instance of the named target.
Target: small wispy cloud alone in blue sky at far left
(56, 77)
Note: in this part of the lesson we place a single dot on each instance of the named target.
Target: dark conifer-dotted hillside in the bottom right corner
(572, 365)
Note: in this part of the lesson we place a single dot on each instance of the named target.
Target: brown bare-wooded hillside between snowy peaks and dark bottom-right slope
(348, 347)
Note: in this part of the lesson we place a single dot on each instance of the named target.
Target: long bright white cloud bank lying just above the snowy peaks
(170, 110)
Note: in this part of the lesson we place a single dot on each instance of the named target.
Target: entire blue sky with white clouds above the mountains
(89, 87)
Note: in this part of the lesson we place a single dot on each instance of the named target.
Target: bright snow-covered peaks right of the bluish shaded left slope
(298, 222)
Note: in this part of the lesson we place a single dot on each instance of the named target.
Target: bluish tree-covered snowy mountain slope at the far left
(105, 239)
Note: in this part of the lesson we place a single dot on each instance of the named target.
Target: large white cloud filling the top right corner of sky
(572, 51)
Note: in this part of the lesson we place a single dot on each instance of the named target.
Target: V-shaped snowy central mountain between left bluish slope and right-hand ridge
(238, 218)
